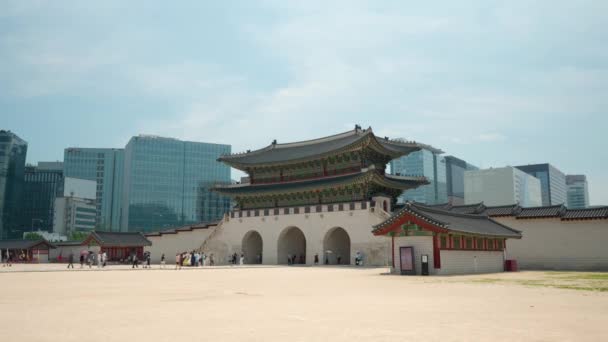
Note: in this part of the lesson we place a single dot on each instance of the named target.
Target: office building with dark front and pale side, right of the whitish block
(552, 182)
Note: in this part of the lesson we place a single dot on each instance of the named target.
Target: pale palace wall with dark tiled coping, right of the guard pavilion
(554, 237)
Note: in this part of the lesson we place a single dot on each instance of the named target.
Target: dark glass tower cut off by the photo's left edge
(13, 151)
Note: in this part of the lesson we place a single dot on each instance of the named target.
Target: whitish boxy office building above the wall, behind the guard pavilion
(502, 186)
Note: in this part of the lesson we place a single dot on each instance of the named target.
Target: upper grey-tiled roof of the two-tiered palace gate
(313, 149)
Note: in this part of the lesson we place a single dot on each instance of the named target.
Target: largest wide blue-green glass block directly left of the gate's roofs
(167, 183)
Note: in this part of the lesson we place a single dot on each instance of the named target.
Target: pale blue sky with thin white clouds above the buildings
(493, 82)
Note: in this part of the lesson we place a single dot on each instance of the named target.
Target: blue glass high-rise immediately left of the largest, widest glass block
(105, 167)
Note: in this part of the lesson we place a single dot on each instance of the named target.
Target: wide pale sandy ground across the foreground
(289, 305)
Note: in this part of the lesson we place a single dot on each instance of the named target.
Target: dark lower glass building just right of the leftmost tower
(42, 184)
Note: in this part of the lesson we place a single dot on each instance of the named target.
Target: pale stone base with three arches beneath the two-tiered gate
(316, 226)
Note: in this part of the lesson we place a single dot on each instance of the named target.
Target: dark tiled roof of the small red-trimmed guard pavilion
(451, 221)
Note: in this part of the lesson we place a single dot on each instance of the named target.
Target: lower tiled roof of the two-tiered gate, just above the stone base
(367, 175)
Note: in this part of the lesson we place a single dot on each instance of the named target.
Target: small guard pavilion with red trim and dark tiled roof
(429, 240)
